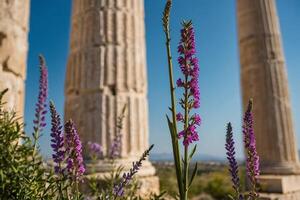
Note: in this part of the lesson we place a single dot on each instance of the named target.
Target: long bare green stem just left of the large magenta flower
(173, 108)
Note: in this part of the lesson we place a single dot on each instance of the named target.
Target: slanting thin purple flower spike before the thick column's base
(127, 177)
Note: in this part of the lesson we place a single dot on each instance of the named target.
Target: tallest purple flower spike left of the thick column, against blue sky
(41, 105)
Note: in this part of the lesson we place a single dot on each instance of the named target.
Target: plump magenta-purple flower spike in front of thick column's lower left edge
(73, 151)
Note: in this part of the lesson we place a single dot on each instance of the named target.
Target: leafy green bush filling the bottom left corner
(21, 175)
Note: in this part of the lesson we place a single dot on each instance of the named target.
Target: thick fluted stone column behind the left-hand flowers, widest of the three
(107, 69)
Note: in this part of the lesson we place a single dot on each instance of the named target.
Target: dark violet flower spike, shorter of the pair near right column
(233, 166)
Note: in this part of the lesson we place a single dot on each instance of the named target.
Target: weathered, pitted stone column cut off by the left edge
(14, 17)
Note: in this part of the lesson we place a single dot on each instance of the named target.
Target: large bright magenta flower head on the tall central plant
(190, 69)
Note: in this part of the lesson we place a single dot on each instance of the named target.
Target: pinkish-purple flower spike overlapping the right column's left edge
(252, 160)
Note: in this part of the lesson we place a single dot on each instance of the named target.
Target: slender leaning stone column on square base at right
(264, 78)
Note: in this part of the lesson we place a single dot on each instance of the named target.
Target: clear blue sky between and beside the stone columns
(216, 37)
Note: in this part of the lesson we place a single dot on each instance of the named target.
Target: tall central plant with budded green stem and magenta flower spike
(189, 102)
